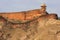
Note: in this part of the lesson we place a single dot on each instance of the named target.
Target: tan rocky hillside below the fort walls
(47, 29)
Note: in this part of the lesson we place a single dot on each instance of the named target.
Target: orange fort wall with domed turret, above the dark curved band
(28, 15)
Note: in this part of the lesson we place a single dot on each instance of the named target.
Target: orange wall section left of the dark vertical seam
(14, 16)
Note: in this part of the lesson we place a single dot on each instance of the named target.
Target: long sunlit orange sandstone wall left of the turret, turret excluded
(21, 15)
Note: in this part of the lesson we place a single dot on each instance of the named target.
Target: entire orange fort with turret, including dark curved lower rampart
(26, 17)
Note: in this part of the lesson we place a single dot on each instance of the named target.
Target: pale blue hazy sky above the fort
(53, 6)
